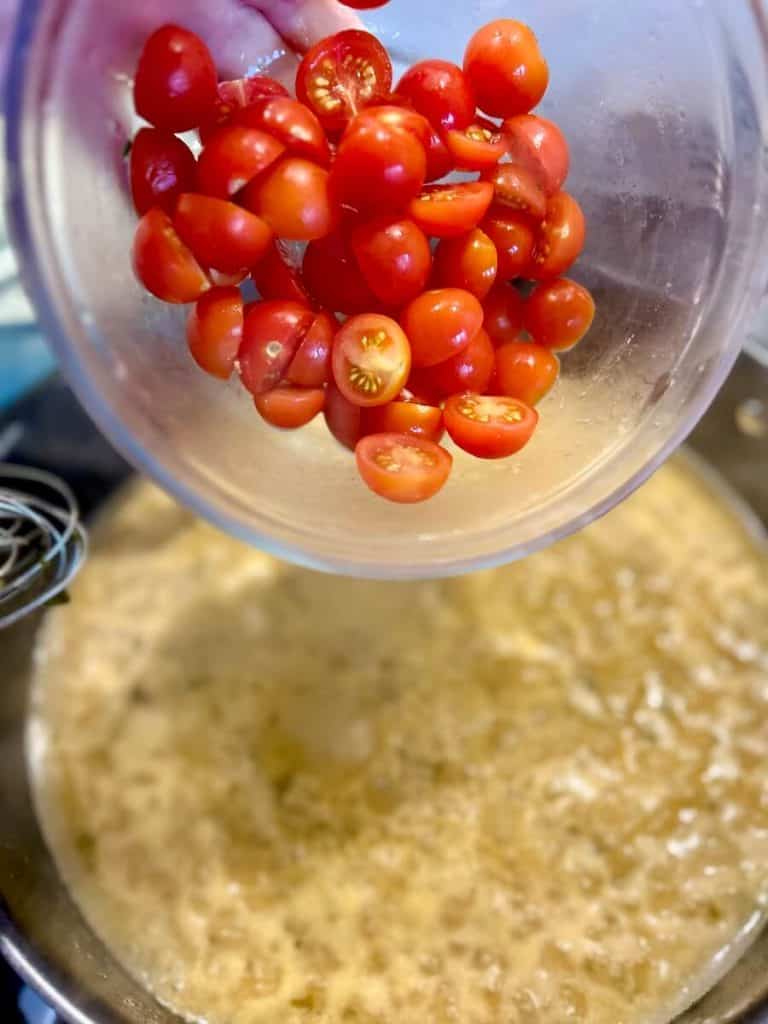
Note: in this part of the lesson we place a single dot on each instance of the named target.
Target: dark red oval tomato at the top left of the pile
(176, 83)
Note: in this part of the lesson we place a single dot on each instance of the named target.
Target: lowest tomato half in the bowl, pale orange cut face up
(403, 468)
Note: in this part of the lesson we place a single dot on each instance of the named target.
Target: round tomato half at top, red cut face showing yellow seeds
(343, 74)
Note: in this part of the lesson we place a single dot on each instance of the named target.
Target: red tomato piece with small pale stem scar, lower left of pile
(272, 333)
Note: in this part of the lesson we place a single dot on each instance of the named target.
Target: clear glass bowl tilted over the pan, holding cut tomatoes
(665, 106)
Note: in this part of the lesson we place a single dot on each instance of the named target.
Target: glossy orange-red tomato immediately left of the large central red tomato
(293, 198)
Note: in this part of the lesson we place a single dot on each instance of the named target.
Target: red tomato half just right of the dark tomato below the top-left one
(233, 157)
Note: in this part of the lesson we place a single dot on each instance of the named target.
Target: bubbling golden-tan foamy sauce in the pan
(538, 794)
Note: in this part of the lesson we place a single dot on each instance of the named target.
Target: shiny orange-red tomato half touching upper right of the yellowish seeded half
(440, 324)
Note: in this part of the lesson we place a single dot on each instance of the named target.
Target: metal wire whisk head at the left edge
(42, 542)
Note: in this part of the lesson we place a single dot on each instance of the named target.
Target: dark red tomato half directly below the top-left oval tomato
(162, 168)
